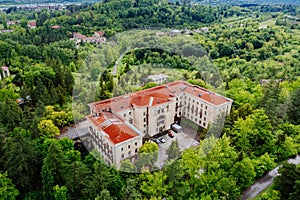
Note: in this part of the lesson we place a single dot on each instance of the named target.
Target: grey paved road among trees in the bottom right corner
(265, 181)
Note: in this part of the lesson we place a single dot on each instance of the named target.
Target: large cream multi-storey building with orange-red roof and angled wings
(117, 125)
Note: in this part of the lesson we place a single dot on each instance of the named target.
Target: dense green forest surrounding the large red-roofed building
(255, 49)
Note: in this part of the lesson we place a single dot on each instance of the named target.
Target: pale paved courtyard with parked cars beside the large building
(187, 138)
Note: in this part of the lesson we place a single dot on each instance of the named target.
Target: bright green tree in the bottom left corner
(7, 189)
